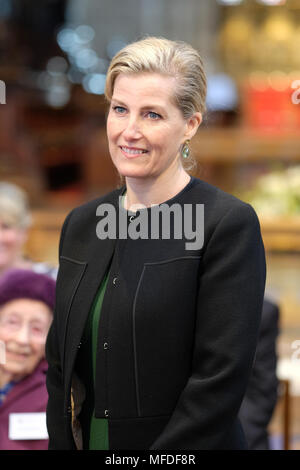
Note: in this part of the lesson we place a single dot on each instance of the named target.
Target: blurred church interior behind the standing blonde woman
(54, 56)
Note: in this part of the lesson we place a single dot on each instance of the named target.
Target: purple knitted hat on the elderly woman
(25, 284)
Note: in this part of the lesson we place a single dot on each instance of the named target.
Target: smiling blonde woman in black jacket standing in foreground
(153, 338)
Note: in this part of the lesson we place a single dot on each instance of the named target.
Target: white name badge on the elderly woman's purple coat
(27, 426)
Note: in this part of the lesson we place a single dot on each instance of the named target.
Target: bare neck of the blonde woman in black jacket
(143, 192)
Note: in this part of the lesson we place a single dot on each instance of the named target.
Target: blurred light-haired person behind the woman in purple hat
(15, 221)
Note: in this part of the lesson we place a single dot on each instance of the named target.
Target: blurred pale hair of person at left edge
(14, 206)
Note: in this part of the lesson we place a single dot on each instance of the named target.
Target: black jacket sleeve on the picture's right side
(230, 296)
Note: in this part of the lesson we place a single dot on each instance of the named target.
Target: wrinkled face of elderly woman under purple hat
(24, 325)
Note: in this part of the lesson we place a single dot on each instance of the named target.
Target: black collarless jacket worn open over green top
(181, 327)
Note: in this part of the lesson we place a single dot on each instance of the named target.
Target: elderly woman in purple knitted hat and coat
(26, 311)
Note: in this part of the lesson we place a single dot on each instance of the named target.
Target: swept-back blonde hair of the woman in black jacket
(171, 58)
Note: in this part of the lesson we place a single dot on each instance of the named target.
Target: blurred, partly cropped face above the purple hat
(12, 240)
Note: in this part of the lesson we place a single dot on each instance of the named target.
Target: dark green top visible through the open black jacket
(94, 430)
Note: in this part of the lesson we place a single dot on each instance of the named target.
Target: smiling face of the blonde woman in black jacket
(145, 128)
